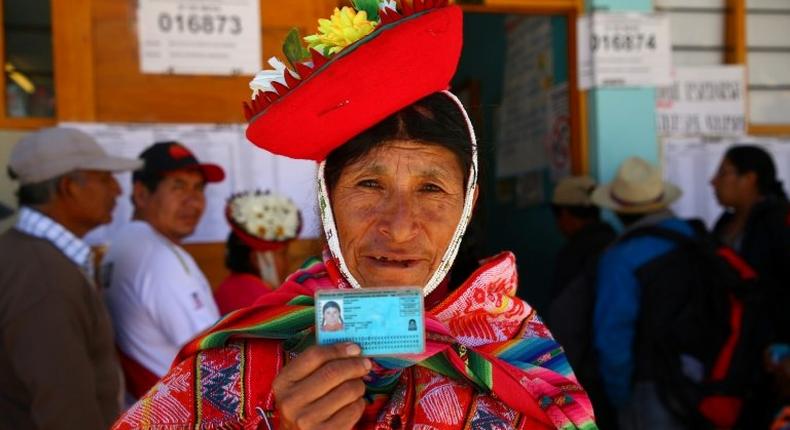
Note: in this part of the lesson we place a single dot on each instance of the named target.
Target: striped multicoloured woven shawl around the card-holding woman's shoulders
(482, 333)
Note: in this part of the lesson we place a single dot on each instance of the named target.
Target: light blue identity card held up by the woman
(382, 321)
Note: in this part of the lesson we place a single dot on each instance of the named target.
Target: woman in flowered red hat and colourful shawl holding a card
(397, 184)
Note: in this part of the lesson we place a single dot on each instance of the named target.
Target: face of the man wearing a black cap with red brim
(175, 207)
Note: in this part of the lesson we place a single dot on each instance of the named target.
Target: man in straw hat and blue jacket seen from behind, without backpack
(641, 199)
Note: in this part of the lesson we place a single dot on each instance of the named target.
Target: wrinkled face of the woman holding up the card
(396, 210)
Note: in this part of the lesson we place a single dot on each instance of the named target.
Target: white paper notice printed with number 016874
(624, 50)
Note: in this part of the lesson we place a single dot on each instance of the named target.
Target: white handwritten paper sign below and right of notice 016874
(708, 101)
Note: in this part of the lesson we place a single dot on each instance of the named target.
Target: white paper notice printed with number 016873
(199, 37)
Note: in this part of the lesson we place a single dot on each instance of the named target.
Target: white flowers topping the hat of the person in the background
(266, 216)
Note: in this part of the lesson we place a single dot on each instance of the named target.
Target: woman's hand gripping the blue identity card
(322, 388)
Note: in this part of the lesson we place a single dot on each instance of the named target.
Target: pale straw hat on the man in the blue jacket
(637, 188)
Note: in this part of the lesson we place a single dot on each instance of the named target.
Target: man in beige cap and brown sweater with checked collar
(58, 365)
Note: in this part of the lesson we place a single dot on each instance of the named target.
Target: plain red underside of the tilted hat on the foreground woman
(393, 67)
